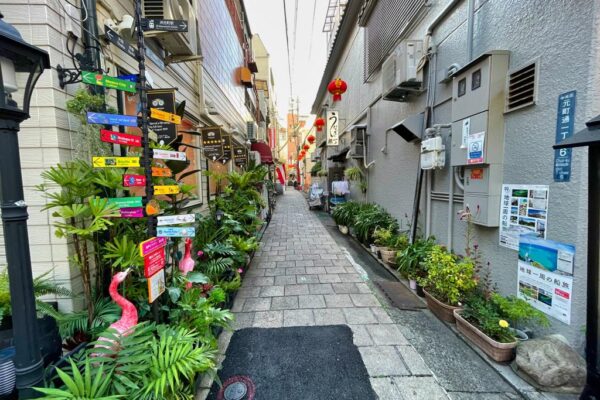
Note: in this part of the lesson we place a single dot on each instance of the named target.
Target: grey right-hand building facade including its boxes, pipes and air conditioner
(444, 50)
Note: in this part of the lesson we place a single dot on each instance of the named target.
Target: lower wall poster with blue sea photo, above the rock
(545, 276)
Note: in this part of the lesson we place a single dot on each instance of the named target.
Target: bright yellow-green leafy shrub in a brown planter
(449, 279)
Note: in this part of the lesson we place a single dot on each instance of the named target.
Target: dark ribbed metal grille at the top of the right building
(388, 22)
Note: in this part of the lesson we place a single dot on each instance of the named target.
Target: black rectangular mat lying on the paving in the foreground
(297, 363)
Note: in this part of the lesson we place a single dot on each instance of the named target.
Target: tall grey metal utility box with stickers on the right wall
(478, 95)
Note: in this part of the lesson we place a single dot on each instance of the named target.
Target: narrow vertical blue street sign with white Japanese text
(565, 121)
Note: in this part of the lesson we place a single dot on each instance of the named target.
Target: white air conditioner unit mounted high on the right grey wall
(400, 75)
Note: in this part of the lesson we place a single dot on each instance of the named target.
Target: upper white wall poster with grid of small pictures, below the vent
(523, 210)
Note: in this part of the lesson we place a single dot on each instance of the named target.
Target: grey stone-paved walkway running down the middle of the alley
(301, 277)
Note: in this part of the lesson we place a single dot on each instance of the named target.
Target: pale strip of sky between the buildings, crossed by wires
(308, 60)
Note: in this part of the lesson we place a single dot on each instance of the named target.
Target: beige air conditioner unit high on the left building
(181, 43)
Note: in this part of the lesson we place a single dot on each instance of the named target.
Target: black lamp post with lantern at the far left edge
(20, 67)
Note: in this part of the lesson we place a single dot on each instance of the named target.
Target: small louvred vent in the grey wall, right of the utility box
(522, 88)
